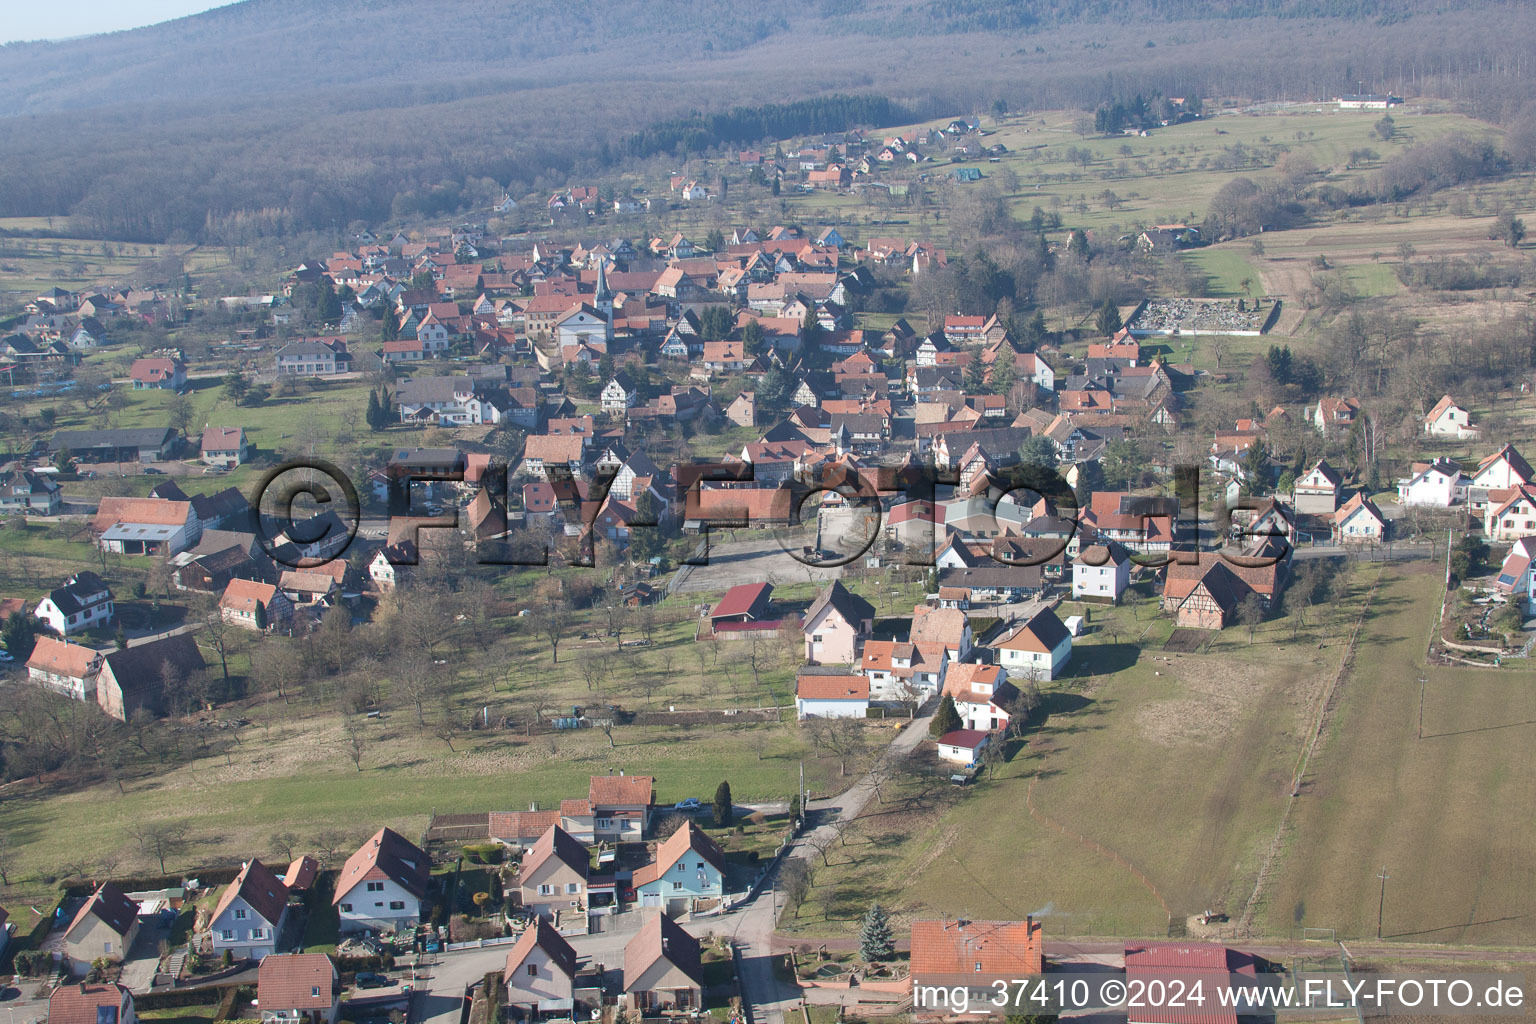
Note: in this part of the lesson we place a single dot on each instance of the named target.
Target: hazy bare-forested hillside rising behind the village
(277, 116)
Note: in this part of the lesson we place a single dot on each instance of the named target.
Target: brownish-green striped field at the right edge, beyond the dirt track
(1452, 818)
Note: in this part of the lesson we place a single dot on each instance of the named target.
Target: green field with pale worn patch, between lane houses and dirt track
(1150, 790)
